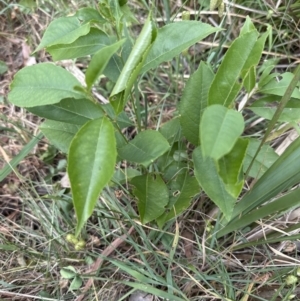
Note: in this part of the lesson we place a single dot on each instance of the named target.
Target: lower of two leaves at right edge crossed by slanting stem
(267, 106)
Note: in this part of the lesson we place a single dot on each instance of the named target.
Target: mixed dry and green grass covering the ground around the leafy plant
(186, 258)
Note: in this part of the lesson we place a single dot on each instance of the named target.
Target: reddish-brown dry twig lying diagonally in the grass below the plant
(97, 264)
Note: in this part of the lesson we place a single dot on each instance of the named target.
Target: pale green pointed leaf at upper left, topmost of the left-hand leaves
(63, 30)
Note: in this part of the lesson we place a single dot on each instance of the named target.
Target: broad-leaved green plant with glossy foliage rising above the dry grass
(163, 172)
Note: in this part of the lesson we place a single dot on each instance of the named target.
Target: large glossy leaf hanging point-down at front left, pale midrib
(92, 158)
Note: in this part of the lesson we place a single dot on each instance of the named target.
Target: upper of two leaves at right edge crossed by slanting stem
(276, 87)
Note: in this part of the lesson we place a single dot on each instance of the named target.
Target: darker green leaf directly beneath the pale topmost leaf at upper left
(83, 46)
